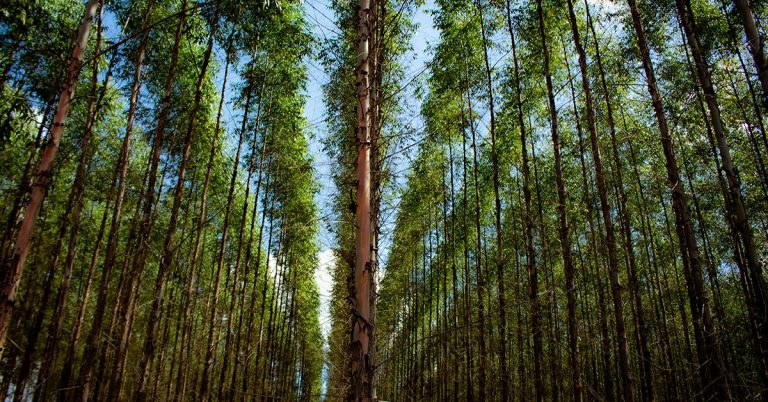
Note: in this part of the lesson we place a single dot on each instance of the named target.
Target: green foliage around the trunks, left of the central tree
(271, 242)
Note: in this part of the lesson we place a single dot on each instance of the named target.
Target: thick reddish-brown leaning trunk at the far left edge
(14, 265)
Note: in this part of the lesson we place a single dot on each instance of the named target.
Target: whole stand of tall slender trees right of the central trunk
(585, 215)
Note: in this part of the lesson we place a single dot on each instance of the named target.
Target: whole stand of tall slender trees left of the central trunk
(158, 202)
